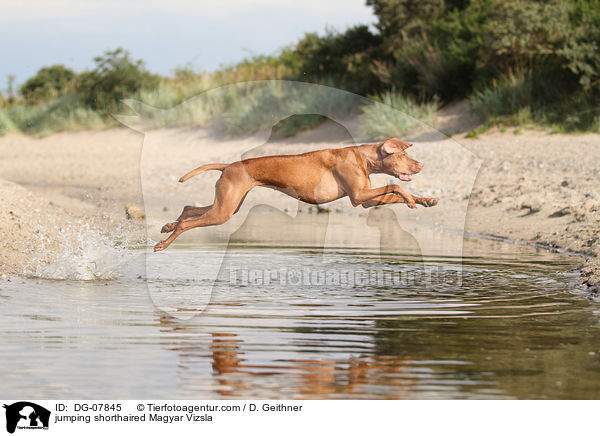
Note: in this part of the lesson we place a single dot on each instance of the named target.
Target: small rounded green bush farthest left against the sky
(49, 82)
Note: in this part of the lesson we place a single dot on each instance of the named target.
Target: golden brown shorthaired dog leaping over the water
(316, 177)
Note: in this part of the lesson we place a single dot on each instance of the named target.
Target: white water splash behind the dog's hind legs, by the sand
(83, 254)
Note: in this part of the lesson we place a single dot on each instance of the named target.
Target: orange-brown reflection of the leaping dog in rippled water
(236, 375)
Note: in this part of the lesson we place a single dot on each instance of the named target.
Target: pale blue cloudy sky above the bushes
(164, 33)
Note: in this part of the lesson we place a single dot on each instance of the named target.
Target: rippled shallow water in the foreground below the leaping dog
(517, 326)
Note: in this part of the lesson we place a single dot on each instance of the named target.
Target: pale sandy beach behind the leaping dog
(532, 186)
